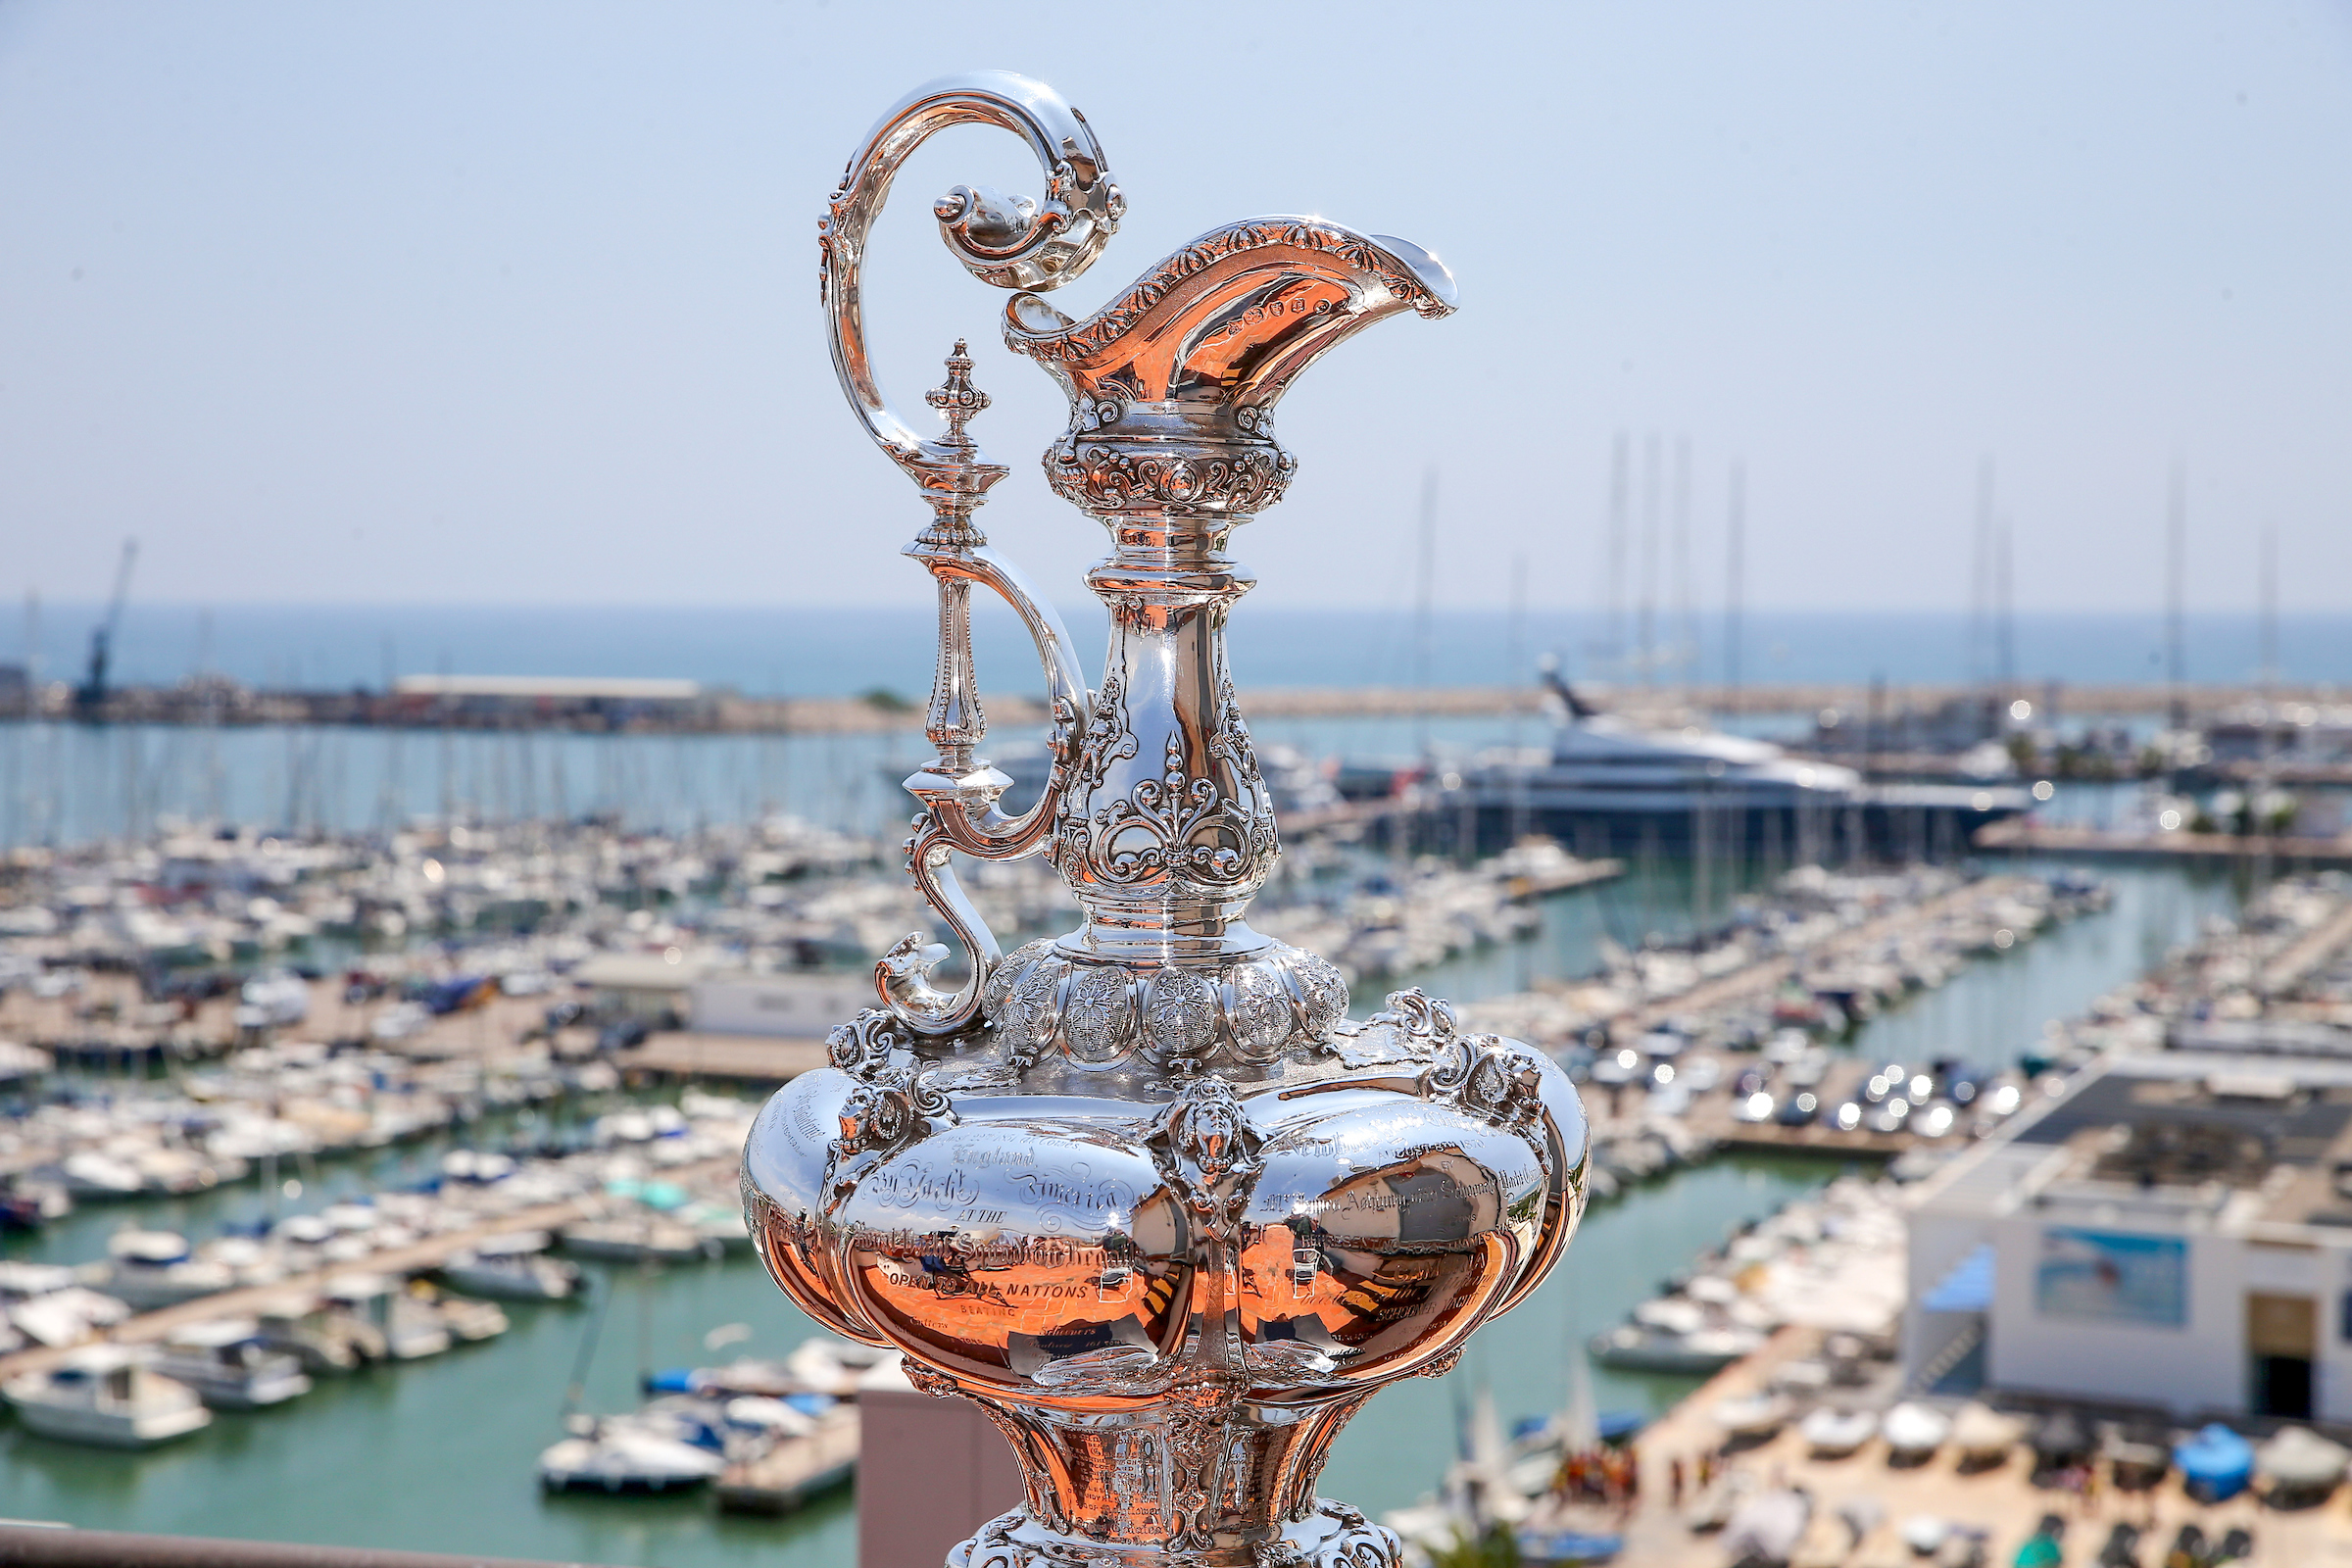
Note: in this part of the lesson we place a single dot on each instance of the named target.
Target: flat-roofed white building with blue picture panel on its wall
(2172, 1231)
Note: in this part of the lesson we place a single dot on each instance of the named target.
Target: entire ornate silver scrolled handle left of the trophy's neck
(1013, 243)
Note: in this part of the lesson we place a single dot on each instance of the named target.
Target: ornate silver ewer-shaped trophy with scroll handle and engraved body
(1144, 1193)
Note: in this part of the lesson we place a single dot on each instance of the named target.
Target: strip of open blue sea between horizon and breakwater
(843, 650)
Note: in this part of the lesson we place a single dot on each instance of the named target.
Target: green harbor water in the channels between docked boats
(354, 1461)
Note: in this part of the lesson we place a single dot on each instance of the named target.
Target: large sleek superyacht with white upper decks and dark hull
(1612, 786)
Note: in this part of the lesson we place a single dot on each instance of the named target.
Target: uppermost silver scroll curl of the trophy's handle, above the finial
(1010, 243)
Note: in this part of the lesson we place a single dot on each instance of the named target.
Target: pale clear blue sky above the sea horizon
(516, 302)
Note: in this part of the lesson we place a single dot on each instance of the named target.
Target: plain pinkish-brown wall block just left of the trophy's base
(930, 1475)
